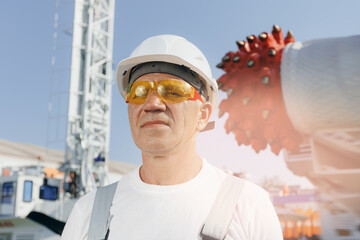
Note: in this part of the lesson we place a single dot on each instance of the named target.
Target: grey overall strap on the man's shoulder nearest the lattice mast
(100, 216)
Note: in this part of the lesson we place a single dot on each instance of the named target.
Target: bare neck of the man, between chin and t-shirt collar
(175, 167)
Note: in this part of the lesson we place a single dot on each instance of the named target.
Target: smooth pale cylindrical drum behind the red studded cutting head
(320, 82)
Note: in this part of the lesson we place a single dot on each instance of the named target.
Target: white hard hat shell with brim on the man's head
(170, 49)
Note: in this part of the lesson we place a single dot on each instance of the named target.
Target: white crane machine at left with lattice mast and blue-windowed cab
(35, 204)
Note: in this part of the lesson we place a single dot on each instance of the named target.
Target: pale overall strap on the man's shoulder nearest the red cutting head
(221, 214)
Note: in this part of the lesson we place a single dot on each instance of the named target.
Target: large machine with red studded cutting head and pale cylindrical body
(304, 98)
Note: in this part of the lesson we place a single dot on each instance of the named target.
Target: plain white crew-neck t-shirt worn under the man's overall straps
(177, 212)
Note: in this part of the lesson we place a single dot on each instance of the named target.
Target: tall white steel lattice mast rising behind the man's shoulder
(88, 122)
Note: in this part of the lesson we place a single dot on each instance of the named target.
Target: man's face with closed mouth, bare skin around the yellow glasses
(158, 126)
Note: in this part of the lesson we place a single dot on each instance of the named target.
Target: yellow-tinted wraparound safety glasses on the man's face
(169, 90)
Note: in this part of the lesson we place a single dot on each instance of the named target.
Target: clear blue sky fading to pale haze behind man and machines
(26, 48)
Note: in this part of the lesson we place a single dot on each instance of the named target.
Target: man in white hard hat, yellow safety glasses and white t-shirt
(168, 85)
